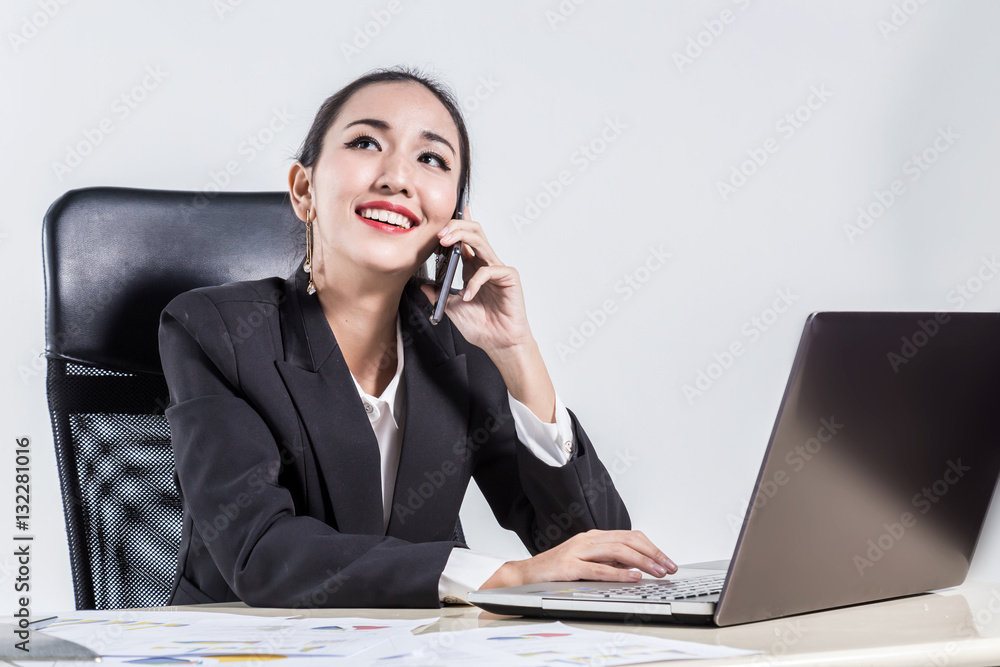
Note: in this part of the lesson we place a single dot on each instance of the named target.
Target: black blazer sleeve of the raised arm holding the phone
(544, 505)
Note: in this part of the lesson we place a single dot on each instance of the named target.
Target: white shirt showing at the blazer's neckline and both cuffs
(466, 570)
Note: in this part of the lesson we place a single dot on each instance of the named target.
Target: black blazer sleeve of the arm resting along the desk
(228, 464)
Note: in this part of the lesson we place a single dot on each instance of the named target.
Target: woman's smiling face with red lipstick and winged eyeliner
(394, 149)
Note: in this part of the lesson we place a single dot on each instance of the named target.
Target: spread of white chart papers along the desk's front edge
(206, 638)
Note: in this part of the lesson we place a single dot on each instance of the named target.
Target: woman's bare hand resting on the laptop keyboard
(596, 555)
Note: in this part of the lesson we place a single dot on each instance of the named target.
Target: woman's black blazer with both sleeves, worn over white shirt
(278, 465)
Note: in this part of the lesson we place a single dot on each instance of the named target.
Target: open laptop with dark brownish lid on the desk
(875, 484)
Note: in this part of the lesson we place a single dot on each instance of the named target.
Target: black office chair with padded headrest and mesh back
(114, 257)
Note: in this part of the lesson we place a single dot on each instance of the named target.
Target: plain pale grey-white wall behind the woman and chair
(684, 467)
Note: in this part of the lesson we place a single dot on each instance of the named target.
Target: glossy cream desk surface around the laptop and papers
(958, 626)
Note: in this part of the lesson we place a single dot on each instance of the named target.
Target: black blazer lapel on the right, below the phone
(427, 495)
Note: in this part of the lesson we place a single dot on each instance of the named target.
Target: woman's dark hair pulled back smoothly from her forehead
(312, 146)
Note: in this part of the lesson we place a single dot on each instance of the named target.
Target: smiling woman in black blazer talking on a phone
(339, 439)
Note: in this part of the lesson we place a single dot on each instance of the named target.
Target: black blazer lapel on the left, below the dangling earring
(320, 385)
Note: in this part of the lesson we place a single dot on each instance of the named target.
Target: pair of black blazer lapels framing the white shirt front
(426, 496)
